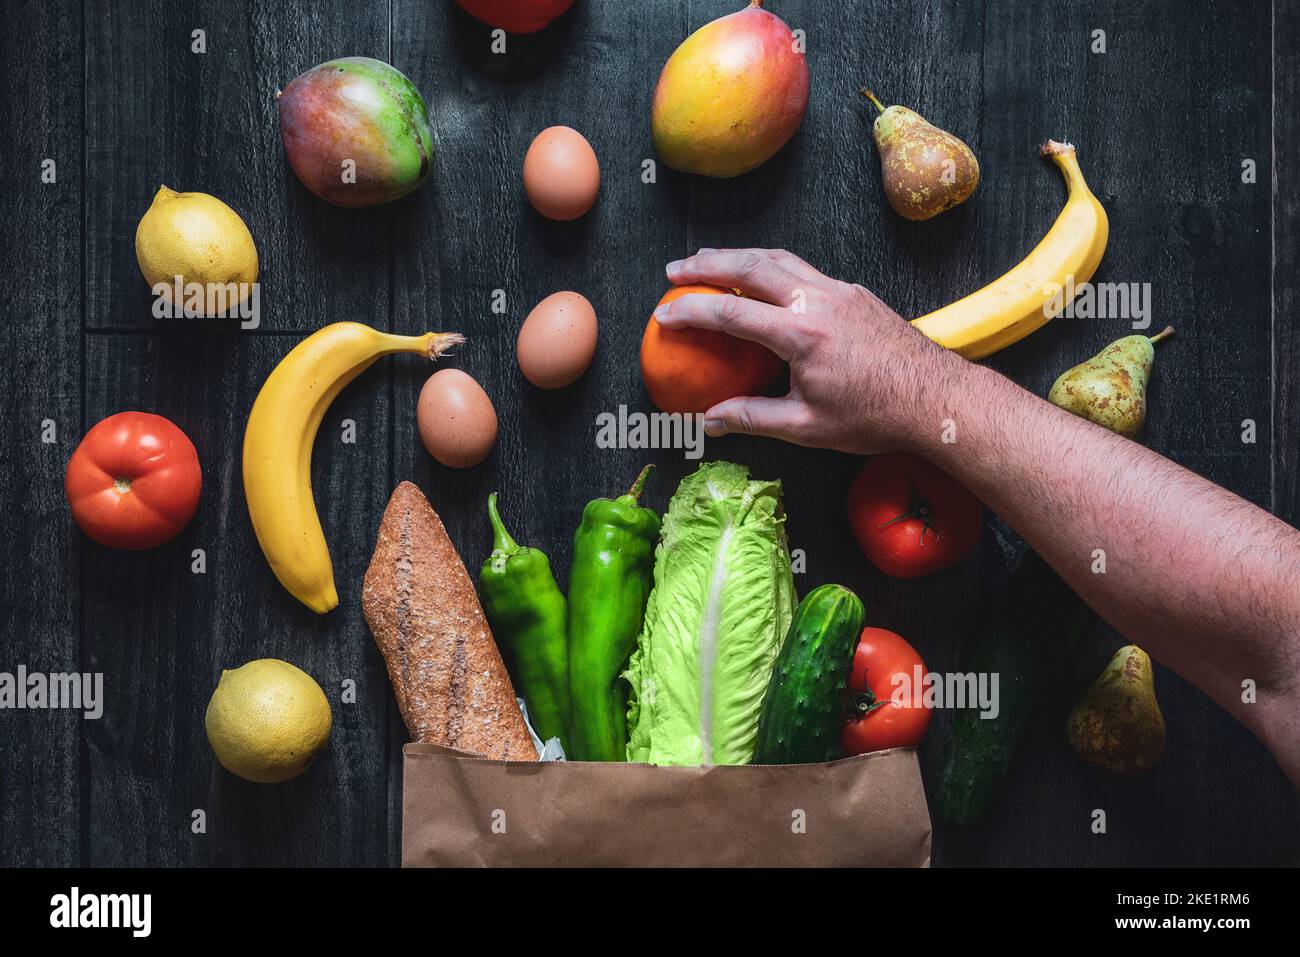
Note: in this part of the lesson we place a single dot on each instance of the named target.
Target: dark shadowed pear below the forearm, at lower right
(1119, 725)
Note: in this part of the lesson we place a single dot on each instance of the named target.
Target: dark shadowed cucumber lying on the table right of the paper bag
(1026, 643)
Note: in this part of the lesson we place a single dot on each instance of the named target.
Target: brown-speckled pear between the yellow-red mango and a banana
(926, 170)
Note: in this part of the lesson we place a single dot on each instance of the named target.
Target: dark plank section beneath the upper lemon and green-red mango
(161, 114)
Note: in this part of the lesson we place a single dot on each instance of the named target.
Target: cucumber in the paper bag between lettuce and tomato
(803, 713)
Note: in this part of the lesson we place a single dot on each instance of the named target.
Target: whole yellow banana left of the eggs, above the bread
(278, 461)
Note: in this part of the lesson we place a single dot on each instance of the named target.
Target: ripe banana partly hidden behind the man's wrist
(1033, 292)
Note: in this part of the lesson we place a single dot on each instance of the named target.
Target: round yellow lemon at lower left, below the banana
(268, 721)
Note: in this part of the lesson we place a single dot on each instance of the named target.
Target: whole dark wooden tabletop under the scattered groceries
(114, 94)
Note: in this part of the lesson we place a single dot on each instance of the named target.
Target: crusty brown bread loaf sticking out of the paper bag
(448, 675)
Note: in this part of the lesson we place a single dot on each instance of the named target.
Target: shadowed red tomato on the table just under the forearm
(911, 517)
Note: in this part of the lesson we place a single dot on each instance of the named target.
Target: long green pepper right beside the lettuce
(609, 587)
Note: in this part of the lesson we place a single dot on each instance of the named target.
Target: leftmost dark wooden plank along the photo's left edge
(41, 110)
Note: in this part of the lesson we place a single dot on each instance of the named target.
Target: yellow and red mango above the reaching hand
(731, 96)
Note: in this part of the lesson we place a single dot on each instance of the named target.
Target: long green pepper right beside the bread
(528, 616)
